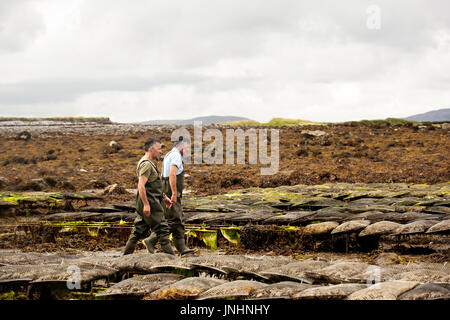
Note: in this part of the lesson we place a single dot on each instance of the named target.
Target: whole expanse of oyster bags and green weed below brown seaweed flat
(331, 241)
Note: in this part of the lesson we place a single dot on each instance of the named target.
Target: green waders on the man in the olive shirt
(156, 221)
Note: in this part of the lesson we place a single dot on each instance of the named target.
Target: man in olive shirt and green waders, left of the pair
(149, 205)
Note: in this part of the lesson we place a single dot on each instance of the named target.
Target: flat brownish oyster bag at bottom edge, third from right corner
(339, 291)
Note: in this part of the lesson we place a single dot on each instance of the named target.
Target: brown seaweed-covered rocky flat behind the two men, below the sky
(75, 157)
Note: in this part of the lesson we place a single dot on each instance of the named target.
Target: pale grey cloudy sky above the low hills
(142, 60)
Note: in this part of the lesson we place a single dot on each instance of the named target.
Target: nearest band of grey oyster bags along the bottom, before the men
(215, 275)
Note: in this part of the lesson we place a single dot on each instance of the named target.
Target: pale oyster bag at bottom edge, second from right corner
(383, 290)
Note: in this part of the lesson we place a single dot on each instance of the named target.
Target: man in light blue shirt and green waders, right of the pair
(173, 184)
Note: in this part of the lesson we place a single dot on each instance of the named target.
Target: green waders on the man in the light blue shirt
(174, 216)
